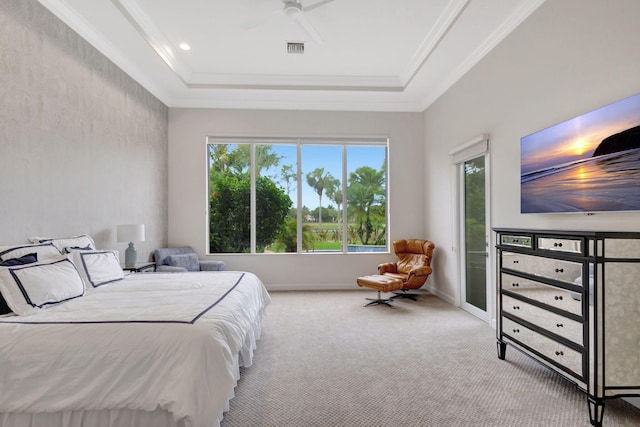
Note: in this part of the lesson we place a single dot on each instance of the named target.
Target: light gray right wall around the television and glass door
(568, 58)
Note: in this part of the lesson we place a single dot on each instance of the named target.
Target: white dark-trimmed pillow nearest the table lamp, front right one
(97, 268)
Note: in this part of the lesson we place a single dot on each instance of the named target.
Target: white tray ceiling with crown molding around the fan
(374, 55)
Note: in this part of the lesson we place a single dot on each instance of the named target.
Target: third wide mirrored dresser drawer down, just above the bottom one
(559, 325)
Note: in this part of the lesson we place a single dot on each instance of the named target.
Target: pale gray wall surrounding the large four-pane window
(188, 129)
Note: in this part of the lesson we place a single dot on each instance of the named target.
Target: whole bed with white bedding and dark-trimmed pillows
(145, 349)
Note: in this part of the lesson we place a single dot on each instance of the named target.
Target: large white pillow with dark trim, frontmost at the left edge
(32, 287)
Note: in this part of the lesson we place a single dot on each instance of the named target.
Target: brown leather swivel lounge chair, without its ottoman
(413, 266)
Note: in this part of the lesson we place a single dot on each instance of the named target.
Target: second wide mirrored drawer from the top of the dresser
(547, 294)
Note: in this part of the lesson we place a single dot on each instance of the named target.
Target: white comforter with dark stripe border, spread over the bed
(166, 341)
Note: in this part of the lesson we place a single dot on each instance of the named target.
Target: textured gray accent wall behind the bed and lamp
(83, 147)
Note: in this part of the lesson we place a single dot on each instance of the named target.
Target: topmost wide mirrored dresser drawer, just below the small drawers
(564, 271)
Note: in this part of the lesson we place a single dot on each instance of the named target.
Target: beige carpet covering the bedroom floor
(325, 360)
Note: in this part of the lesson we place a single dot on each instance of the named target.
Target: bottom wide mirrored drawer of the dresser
(552, 350)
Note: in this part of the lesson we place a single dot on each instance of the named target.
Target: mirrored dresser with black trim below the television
(571, 300)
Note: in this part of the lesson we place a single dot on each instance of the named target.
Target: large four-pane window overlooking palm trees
(268, 195)
